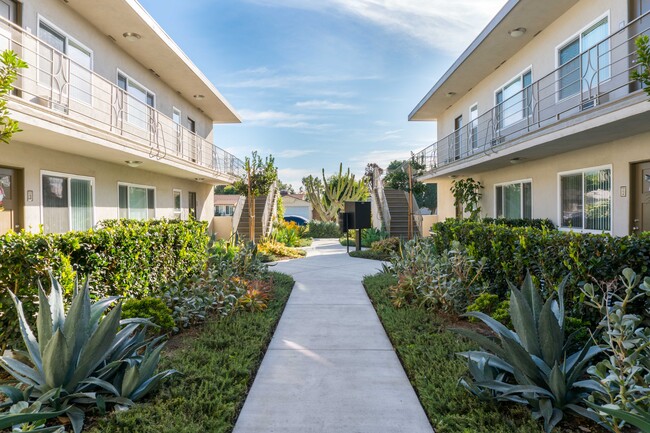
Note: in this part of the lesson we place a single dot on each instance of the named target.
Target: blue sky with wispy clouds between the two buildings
(323, 82)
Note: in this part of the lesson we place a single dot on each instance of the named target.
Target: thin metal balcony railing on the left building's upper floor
(59, 83)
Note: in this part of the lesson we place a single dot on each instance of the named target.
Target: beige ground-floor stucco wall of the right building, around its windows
(619, 155)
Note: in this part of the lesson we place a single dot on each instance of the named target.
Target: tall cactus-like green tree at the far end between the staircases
(328, 196)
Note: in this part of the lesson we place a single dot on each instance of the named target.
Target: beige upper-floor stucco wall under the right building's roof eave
(540, 54)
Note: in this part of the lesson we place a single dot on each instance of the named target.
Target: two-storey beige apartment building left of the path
(117, 121)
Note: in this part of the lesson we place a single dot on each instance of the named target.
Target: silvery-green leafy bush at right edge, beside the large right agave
(623, 376)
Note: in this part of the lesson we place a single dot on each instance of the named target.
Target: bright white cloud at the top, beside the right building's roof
(442, 24)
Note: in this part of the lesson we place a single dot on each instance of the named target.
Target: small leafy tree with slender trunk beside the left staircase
(260, 175)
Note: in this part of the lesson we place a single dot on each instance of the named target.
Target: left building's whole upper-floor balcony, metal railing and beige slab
(59, 89)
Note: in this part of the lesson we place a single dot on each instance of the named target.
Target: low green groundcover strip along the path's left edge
(218, 365)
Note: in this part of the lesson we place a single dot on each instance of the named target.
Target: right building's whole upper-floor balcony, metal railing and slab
(589, 86)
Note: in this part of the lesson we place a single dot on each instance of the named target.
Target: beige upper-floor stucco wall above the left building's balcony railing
(108, 58)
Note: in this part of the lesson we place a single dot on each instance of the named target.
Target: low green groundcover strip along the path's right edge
(428, 353)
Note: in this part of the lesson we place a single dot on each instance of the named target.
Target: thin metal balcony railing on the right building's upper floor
(596, 76)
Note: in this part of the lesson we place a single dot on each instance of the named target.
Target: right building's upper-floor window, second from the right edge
(514, 100)
